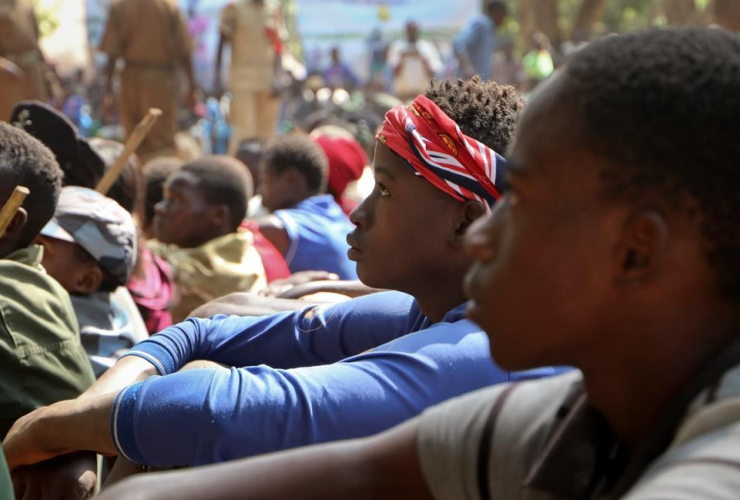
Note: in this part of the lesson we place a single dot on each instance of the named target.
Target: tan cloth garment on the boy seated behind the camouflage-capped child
(221, 266)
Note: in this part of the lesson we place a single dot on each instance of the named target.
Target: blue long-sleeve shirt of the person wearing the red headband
(329, 373)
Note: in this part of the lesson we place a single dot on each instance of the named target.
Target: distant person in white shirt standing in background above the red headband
(414, 63)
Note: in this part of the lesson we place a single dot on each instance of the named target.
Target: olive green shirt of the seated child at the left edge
(41, 358)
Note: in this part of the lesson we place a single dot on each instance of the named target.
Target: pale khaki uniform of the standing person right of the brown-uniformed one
(254, 108)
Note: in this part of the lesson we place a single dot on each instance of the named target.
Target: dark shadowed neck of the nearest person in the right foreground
(632, 387)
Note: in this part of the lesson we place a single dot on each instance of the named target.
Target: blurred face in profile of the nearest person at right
(543, 284)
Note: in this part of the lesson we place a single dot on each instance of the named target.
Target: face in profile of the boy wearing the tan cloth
(184, 216)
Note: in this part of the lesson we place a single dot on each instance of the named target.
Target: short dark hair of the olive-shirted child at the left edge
(25, 161)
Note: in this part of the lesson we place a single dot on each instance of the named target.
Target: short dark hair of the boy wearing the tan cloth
(223, 180)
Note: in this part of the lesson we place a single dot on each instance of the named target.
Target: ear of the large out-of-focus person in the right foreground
(641, 250)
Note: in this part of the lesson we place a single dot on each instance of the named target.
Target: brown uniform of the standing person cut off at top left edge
(19, 44)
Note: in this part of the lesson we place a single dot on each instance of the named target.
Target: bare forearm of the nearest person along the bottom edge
(385, 466)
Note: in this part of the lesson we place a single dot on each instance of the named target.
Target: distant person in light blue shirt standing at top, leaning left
(475, 46)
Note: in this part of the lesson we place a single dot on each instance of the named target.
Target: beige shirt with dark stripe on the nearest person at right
(541, 440)
